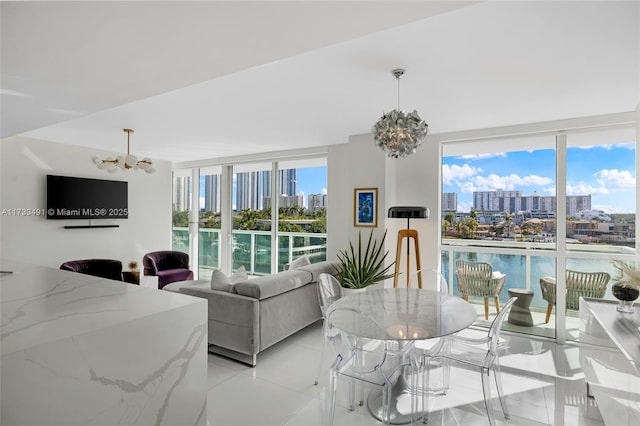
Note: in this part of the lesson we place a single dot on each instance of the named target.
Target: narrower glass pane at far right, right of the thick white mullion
(601, 206)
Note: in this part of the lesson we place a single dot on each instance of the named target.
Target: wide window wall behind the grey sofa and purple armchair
(257, 240)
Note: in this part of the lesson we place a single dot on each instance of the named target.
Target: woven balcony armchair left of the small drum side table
(478, 279)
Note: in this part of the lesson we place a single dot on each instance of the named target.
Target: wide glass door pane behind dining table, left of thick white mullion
(499, 207)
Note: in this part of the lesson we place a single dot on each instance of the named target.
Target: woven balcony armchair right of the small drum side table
(578, 284)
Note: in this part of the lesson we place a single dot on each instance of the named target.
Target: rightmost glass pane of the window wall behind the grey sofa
(302, 211)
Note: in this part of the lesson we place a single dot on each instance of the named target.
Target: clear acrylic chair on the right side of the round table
(482, 353)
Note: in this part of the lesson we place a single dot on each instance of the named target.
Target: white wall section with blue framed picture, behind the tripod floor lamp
(412, 181)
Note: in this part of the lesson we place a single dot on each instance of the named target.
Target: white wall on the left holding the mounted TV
(34, 239)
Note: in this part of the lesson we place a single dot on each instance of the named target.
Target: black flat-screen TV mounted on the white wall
(82, 198)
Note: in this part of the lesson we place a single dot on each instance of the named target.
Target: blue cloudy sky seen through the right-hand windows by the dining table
(607, 172)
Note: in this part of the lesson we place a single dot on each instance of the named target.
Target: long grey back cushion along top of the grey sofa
(271, 285)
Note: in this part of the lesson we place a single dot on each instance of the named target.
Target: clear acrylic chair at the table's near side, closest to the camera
(374, 362)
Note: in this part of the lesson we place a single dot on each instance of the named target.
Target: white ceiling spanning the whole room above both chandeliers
(199, 80)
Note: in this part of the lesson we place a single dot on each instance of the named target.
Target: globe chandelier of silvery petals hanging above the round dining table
(398, 133)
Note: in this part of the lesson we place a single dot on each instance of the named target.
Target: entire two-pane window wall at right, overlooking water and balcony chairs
(535, 204)
